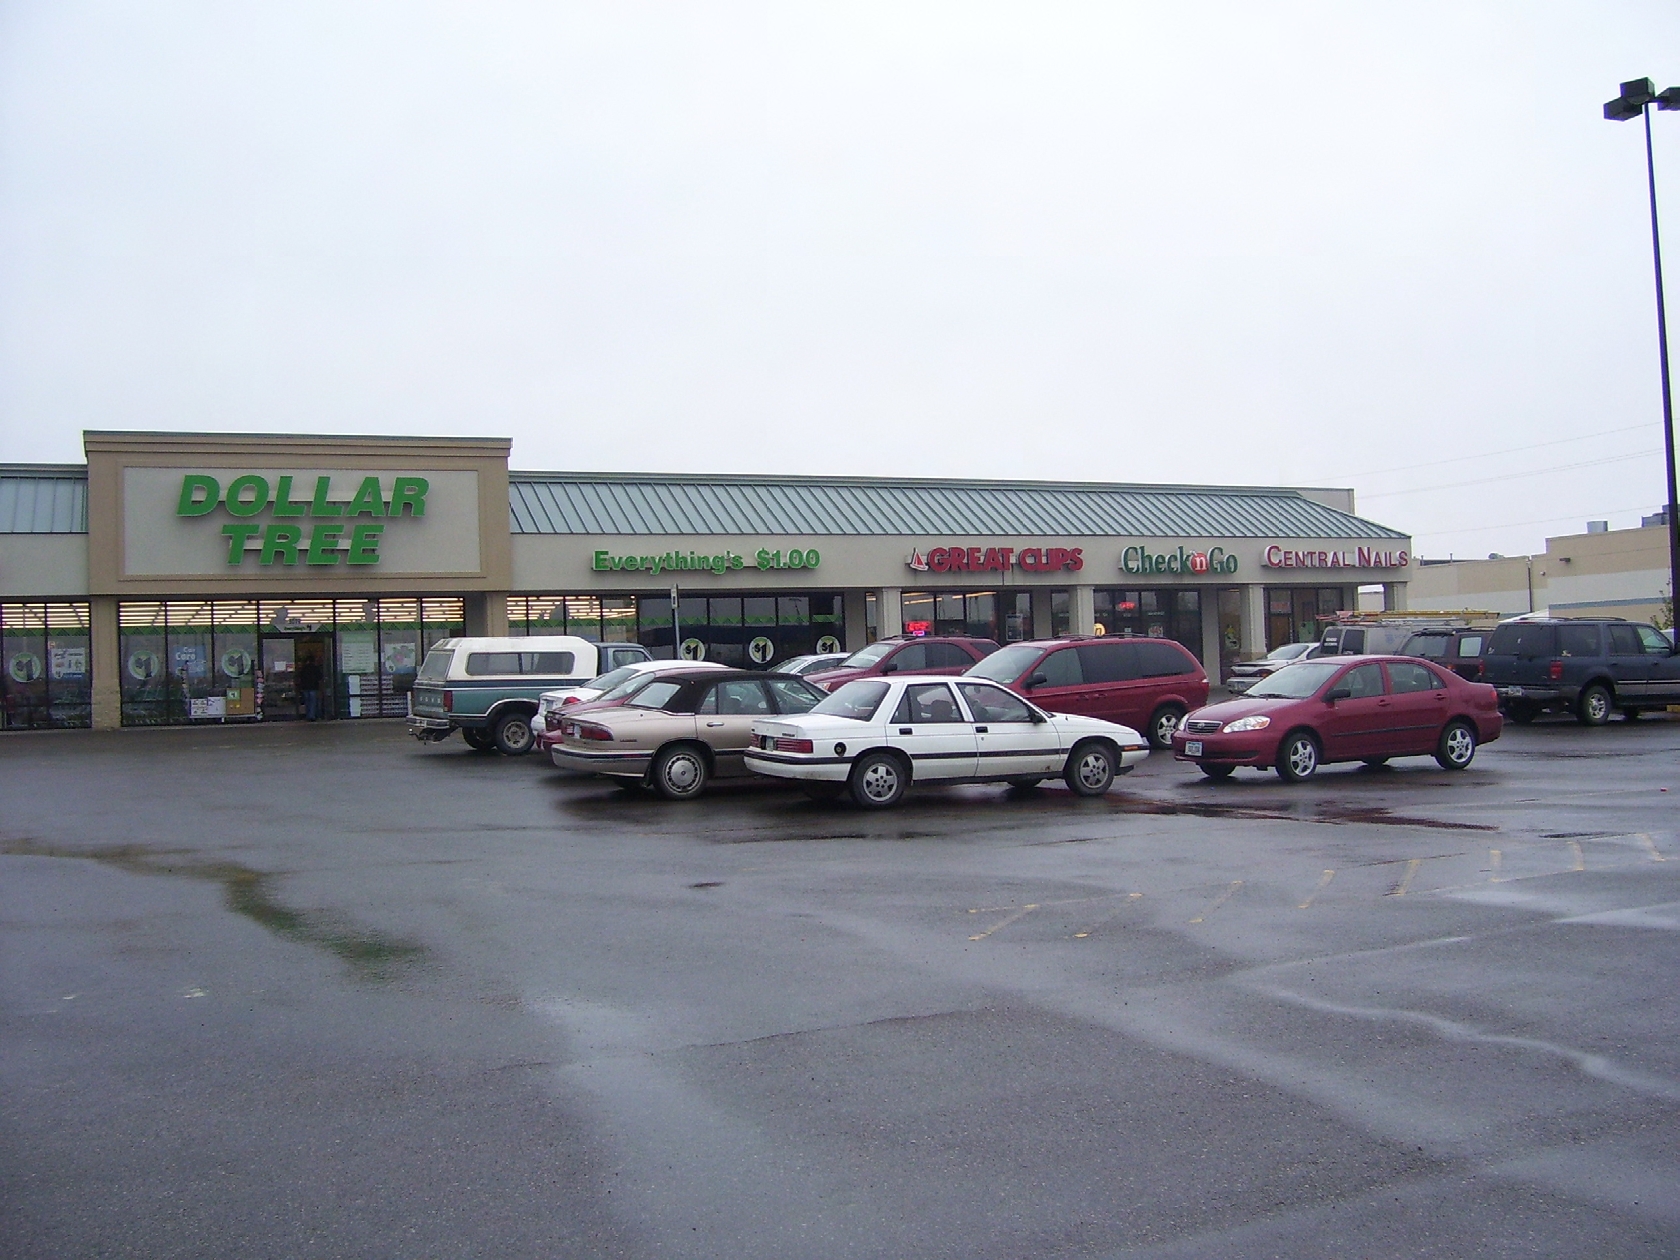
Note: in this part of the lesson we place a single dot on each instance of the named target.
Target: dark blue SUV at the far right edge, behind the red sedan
(1588, 668)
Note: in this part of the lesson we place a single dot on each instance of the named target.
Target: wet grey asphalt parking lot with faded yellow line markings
(322, 992)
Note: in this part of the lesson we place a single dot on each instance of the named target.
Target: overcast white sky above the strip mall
(1315, 244)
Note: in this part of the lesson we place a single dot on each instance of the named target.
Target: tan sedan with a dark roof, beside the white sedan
(680, 733)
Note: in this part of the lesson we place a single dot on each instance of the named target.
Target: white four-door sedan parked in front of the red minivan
(876, 737)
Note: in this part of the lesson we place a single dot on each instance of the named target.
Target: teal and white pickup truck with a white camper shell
(490, 688)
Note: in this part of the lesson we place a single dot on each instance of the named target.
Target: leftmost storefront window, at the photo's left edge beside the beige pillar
(46, 669)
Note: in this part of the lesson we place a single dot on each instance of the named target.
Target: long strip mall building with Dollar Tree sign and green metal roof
(187, 577)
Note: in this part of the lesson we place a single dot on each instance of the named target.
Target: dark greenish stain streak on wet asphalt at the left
(249, 893)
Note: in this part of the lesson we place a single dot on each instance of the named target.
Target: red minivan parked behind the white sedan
(1147, 685)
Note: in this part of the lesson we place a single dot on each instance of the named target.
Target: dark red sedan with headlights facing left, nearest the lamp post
(1343, 710)
